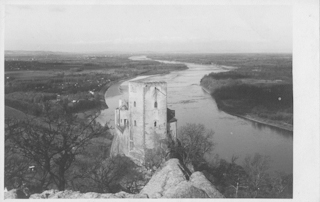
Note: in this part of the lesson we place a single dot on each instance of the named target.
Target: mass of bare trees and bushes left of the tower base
(57, 150)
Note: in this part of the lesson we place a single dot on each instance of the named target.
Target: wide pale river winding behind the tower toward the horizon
(232, 135)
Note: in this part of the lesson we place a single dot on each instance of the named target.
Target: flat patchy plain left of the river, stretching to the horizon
(80, 80)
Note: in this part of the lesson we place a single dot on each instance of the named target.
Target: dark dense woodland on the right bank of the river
(267, 102)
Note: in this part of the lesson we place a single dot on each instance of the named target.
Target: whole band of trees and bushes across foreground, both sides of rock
(62, 152)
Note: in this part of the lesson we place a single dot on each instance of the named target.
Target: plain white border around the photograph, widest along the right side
(306, 76)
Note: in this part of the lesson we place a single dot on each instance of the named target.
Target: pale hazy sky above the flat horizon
(149, 28)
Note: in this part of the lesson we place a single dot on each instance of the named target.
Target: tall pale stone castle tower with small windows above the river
(144, 122)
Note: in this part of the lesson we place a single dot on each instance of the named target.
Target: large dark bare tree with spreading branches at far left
(52, 141)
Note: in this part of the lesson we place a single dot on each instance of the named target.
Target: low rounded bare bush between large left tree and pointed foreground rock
(108, 175)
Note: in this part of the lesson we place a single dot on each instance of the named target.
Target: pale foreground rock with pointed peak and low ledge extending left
(169, 181)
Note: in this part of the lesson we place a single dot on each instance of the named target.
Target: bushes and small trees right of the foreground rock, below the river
(251, 179)
